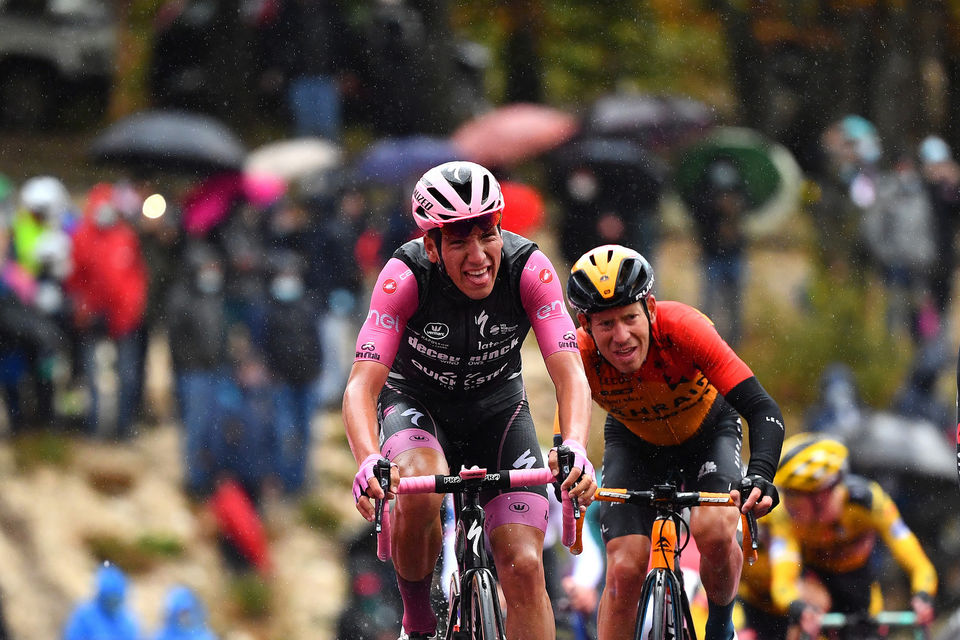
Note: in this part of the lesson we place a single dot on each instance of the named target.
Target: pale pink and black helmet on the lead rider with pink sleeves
(455, 191)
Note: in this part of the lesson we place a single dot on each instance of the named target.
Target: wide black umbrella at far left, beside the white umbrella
(169, 140)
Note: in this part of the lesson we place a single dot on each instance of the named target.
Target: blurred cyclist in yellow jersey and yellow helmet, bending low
(836, 519)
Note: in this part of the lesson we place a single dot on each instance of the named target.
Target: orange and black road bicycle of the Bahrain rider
(663, 606)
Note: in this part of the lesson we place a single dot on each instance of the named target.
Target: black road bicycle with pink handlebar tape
(473, 609)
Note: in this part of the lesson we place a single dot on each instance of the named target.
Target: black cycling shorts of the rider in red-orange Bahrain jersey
(709, 461)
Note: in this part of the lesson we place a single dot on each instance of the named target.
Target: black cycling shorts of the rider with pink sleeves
(493, 437)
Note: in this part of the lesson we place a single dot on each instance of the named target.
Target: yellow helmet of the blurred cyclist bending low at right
(811, 462)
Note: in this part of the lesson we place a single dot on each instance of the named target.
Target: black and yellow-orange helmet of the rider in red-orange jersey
(607, 277)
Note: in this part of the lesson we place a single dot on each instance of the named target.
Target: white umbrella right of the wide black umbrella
(293, 159)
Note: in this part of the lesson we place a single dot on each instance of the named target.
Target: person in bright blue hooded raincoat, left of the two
(106, 616)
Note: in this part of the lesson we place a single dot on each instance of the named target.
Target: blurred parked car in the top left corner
(53, 53)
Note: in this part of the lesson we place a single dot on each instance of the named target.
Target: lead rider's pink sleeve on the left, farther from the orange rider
(393, 301)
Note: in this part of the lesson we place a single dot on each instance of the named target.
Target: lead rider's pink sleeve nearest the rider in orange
(542, 297)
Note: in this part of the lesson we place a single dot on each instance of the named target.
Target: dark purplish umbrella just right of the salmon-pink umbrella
(655, 121)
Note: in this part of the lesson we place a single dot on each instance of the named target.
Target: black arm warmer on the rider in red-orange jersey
(766, 426)
